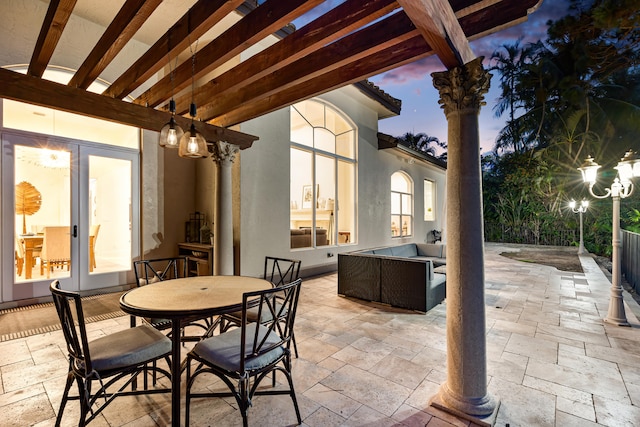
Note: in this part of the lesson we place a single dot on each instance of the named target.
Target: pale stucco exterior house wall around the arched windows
(265, 175)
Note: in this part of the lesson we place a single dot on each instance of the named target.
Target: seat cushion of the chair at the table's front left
(129, 347)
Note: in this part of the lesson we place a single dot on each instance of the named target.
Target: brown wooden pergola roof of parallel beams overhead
(344, 44)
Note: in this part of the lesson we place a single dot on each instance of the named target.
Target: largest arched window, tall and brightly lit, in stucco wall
(323, 176)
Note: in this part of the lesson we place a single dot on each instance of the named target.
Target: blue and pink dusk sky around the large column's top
(413, 85)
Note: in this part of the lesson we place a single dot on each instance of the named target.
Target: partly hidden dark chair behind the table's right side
(279, 271)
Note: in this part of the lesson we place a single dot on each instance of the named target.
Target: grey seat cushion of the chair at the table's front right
(224, 350)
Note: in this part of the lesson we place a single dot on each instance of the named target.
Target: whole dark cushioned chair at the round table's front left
(105, 367)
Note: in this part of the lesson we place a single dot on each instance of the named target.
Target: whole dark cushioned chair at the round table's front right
(242, 357)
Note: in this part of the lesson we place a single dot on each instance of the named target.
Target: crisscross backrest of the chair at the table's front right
(279, 305)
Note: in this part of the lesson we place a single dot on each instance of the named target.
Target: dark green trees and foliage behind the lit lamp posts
(575, 94)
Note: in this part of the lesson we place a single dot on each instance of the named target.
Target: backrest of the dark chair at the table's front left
(76, 337)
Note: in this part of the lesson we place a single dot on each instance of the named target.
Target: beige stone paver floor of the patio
(551, 360)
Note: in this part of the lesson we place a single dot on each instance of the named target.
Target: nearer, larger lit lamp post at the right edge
(622, 187)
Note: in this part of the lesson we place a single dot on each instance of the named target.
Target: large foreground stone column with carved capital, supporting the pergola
(464, 393)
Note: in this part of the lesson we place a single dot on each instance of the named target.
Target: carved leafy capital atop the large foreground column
(462, 88)
